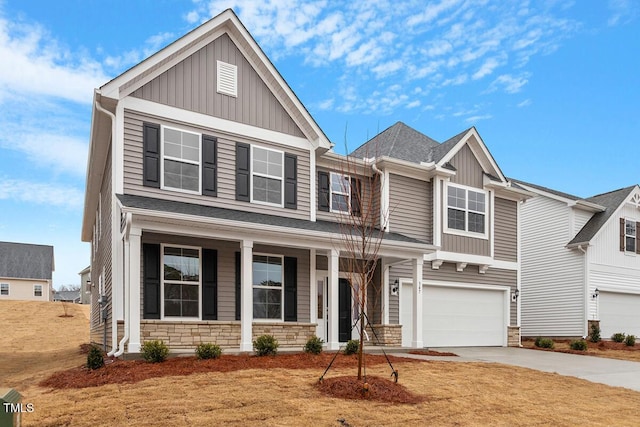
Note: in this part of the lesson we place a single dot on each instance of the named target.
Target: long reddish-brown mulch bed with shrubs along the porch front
(133, 371)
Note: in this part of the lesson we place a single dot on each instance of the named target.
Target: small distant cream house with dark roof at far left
(26, 271)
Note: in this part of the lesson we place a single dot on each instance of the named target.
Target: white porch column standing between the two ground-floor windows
(246, 295)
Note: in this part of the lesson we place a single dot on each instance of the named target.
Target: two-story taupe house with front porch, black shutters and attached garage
(214, 205)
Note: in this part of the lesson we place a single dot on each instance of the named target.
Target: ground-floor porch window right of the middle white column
(267, 286)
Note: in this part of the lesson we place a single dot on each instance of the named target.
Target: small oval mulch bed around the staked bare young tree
(374, 388)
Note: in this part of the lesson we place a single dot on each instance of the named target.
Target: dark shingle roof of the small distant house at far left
(26, 261)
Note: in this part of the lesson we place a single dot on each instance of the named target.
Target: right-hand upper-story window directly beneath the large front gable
(267, 176)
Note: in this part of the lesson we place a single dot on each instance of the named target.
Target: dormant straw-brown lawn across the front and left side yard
(455, 393)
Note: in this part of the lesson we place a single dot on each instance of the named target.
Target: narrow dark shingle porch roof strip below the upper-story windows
(152, 204)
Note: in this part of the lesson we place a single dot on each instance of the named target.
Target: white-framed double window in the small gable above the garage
(466, 211)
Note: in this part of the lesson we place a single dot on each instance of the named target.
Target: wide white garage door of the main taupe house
(457, 316)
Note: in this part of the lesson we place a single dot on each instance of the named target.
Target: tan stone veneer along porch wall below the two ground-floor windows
(180, 335)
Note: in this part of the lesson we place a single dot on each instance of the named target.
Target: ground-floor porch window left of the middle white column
(181, 282)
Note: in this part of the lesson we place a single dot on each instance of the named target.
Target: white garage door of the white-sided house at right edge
(619, 313)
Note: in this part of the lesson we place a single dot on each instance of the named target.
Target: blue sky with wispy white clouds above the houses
(553, 87)
